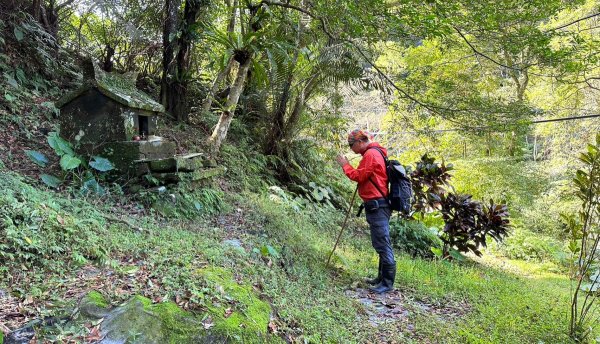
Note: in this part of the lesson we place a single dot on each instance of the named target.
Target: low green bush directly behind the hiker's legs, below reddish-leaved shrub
(414, 238)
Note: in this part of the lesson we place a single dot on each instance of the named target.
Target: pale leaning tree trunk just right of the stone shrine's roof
(220, 132)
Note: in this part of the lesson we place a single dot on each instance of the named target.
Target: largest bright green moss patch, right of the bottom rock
(250, 317)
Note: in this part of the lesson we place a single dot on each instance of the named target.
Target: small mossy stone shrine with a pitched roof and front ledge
(108, 116)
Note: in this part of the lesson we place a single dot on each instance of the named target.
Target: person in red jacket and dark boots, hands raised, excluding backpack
(372, 188)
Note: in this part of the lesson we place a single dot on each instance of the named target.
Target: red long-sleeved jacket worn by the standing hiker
(371, 166)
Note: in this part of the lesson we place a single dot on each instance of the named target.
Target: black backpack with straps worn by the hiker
(399, 185)
